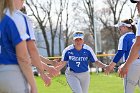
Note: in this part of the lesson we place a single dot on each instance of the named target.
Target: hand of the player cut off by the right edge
(123, 70)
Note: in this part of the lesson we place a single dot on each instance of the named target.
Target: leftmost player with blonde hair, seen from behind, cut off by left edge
(15, 70)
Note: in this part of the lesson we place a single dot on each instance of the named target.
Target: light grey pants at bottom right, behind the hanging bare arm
(132, 78)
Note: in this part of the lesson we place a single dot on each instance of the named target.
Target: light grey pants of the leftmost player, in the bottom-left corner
(12, 80)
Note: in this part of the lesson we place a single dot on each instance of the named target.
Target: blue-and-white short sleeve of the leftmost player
(16, 31)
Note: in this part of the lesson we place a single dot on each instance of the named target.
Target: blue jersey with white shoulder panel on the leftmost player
(12, 32)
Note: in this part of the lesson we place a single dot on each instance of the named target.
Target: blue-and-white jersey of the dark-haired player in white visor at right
(125, 43)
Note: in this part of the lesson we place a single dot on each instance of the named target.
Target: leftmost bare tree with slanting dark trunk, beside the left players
(41, 21)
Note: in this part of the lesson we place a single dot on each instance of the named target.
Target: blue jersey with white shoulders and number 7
(78, 60)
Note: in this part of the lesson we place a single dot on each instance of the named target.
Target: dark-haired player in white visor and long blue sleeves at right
(127, 39)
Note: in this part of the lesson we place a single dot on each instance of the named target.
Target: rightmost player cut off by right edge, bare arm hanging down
(133, 58)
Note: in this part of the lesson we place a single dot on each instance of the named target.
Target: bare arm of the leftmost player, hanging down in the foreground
(25, 64)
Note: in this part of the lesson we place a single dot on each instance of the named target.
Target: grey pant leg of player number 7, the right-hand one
(84, 80)
